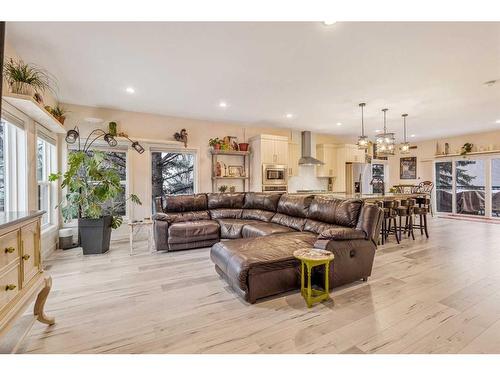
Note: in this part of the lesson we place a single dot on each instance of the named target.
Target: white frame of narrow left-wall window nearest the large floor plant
(49, 166)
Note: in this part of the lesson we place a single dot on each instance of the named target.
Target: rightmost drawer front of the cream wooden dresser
(29, 251)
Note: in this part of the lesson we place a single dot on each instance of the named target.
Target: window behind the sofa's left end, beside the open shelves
(172, 173)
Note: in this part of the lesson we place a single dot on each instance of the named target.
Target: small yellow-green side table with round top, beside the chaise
(310, 258)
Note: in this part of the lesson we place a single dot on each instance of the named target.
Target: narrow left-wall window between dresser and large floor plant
(46, 164)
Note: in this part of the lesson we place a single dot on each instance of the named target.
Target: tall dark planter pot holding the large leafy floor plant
(95, 234)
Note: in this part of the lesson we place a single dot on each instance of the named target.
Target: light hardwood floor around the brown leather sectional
(438, 295)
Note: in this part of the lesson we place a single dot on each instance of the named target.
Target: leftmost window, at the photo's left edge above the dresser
(13, 185)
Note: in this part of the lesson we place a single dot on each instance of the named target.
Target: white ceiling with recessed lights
(433, 71)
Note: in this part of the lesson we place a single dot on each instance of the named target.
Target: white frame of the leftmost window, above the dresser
(16, 170)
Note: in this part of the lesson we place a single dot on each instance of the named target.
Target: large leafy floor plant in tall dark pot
(91, 185)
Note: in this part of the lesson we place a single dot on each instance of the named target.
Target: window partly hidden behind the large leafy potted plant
(118, 161)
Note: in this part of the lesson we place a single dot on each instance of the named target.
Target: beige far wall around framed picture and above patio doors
(426, 150)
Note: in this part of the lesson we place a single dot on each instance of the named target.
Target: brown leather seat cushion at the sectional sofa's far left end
(193, 231)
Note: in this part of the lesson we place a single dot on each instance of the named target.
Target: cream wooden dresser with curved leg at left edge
(21, 273)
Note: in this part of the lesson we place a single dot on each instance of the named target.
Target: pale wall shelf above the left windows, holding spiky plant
(35, 111)
